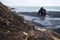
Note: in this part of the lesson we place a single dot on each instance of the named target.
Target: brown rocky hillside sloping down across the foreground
(14, 27)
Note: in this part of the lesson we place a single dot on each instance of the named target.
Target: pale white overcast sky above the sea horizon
(31, 2)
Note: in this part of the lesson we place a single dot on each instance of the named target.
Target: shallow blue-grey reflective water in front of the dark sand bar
(50, 22)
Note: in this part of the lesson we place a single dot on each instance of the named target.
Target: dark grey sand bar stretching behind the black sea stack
(53, 14)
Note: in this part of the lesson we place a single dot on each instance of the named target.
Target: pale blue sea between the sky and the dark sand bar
(34, 8)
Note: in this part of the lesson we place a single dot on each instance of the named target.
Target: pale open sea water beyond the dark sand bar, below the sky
(35, 9)
